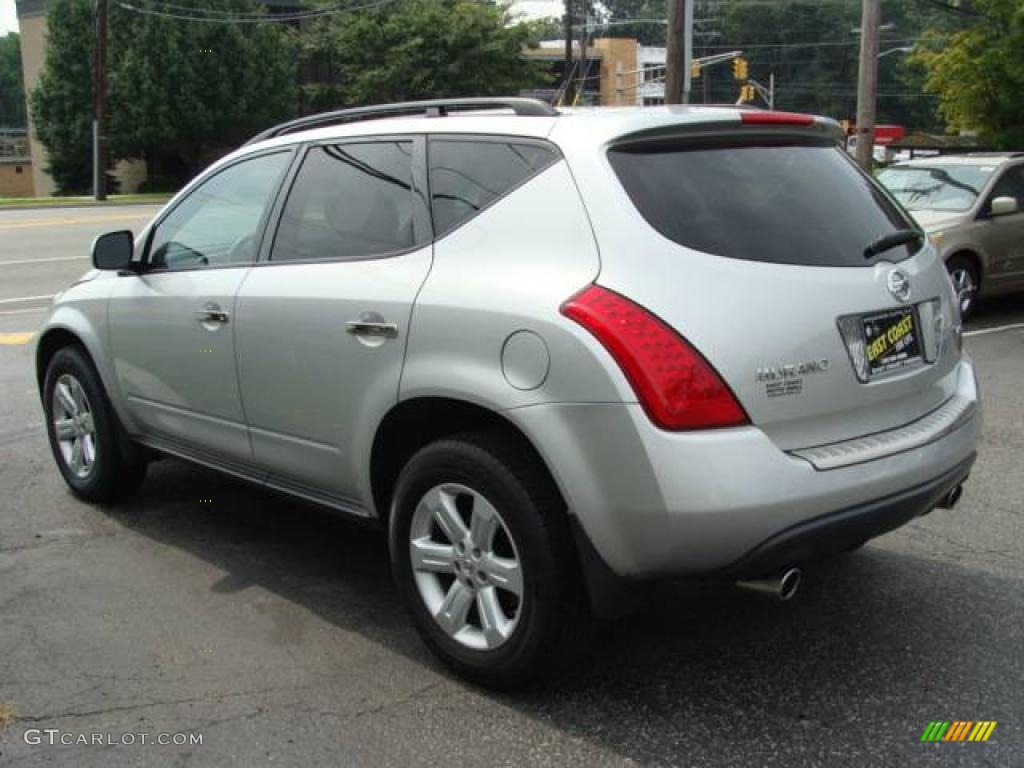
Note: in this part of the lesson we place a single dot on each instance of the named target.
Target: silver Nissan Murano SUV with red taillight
(557, 355)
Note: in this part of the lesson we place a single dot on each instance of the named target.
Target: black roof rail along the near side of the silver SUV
(438, 108)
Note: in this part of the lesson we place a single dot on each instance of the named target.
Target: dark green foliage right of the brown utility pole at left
(185, 92)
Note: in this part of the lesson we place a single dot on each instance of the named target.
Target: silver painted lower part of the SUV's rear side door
(314, 393)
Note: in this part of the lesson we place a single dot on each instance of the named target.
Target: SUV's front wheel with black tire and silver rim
(86, 436)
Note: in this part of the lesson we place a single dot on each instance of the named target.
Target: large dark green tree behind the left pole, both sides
(180, 92)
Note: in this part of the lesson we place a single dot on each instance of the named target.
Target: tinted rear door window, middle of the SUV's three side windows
(350, 201)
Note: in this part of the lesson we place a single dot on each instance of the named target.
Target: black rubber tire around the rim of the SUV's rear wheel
(552, 611)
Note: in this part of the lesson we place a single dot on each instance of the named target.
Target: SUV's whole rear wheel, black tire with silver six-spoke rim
(484, 561)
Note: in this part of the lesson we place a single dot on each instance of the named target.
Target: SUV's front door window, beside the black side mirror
(217, 225)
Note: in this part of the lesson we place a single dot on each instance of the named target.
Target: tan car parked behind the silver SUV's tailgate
(972, 206)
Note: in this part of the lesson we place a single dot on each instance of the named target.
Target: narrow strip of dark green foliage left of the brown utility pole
(62, 104)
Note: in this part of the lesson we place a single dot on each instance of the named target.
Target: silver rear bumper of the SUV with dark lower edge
(657, 504)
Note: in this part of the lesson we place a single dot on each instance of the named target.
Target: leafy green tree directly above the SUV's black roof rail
(411, 50)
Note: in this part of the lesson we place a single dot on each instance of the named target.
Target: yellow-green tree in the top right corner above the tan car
(979, 74)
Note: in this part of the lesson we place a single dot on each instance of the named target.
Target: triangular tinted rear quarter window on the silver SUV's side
(467, 176)
